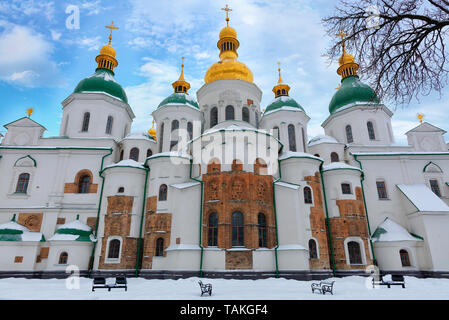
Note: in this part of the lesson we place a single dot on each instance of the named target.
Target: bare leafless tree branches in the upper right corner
(399, 44)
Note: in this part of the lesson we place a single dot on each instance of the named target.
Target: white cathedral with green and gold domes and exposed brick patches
(222, 188)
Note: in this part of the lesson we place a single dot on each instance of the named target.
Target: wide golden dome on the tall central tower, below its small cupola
(228, 69)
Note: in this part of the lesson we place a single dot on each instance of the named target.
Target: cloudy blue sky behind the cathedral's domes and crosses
(41, 60)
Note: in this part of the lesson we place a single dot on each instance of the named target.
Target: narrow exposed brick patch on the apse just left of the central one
(157, 225)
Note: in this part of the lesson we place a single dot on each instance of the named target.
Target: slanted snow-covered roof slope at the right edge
(423, 198)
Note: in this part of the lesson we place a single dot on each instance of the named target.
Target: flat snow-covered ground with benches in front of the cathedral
(188, 289)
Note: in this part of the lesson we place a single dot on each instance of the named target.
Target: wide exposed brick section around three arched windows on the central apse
(231, 191)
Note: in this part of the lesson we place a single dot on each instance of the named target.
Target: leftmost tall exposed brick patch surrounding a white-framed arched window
(119, 225)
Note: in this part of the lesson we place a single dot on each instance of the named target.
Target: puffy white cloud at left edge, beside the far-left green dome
(25, 58)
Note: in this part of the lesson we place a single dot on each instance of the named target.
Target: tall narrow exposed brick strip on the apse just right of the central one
(318, 225)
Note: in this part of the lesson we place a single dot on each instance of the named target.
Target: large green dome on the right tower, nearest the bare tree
(352, 90)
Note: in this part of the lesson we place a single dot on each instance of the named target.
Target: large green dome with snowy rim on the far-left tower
(102, 81)
